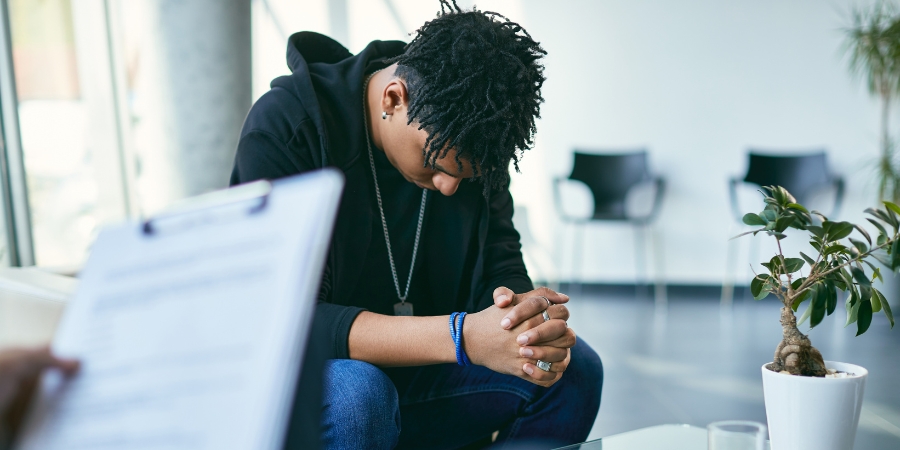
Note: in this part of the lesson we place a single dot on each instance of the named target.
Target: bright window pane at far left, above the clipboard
(73, 186)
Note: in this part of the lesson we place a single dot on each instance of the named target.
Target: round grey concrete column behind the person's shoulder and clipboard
(192, 93)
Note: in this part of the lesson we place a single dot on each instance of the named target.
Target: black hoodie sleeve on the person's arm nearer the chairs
(503, 264)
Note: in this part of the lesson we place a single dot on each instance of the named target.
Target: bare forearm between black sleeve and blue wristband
(401, 341)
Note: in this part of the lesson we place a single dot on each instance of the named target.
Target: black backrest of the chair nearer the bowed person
(610, 176)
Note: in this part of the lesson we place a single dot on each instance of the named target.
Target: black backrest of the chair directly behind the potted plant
(800, 174)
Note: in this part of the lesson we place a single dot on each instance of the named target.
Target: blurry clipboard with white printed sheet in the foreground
(191, 326)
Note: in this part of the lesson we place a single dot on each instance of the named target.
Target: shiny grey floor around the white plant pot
(690, 363)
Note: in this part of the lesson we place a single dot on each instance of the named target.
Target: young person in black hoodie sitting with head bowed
(424, 133)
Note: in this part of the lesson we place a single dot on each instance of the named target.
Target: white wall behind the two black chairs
(696, 82)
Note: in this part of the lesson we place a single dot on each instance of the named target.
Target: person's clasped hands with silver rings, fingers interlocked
(523, 336)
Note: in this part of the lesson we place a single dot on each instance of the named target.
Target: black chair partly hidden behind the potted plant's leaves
(803, 175)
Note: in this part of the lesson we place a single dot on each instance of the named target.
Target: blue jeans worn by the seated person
(448, 406)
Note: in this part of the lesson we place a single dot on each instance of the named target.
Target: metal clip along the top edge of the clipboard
(257, 193)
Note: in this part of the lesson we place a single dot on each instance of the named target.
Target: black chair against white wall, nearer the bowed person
(610, 177)
